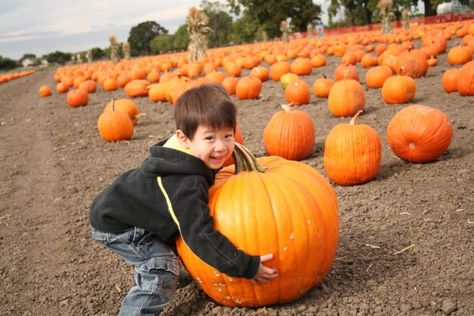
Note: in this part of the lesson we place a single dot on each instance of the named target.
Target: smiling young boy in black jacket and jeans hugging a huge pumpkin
(142, 213)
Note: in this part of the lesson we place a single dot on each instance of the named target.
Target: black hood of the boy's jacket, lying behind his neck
(167, 161)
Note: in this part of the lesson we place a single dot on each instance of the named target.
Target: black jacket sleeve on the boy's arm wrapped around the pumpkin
(190, 211)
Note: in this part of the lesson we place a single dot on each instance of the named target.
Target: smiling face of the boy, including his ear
(213, 147)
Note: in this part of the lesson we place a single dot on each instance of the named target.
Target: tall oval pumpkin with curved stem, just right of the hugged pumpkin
(352, 153)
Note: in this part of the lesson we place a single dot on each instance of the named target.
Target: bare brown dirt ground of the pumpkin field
(406, 238)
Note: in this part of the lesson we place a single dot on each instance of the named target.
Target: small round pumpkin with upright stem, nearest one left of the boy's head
(115, 125)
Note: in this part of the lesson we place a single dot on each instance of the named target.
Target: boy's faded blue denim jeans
(157, 269)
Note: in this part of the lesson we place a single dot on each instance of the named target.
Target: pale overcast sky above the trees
(44, 26)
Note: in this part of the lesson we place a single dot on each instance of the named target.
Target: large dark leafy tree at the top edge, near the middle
(270, 13)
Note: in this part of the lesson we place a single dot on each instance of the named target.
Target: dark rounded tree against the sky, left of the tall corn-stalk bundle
(141, 35)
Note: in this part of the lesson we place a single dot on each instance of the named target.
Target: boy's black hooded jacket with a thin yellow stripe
(168, 196)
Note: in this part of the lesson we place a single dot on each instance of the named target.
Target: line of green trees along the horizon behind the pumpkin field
(246, 21)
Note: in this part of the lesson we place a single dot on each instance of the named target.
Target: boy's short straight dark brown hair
(207, 105)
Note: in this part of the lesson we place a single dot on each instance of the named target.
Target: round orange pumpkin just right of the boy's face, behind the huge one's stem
(289, 134)
